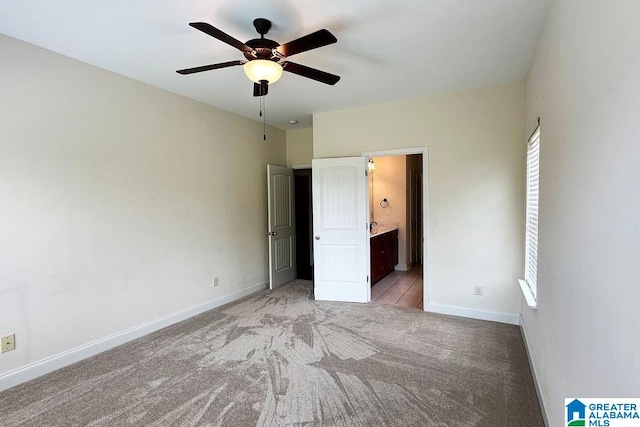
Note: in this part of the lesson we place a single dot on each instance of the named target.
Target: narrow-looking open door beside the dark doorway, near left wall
(281, 225)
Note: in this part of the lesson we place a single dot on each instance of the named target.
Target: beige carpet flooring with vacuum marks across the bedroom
(281, 358)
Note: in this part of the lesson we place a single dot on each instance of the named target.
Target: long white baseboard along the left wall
(53, 363)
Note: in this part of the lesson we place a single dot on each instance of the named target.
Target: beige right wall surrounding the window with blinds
(584, 84)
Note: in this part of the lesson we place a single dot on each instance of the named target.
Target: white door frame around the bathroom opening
(426, 259)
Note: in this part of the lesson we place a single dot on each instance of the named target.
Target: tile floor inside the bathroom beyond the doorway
(403, 288)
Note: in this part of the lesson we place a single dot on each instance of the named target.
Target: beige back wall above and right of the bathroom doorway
(476, 181)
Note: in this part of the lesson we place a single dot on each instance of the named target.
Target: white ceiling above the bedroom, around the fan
(386, 50)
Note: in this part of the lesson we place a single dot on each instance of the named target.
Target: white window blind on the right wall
(531, 233)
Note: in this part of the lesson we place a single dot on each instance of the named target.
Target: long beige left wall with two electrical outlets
(120, 202)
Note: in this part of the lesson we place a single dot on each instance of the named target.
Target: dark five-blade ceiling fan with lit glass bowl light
(266, 59)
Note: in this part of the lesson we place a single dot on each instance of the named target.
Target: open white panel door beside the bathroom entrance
(341, 229)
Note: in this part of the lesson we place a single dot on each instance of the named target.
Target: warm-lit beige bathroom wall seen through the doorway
(389, 182)
